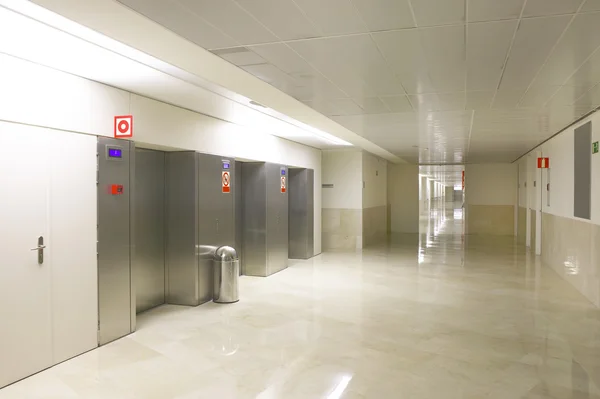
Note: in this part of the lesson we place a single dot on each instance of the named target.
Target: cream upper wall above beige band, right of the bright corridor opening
(491, 184)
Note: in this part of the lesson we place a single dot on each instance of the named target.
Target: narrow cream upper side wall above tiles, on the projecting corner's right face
(374, 172)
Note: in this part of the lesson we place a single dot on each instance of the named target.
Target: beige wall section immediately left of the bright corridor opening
(403, 197)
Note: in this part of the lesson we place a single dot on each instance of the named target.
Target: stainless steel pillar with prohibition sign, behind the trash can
(200, 217)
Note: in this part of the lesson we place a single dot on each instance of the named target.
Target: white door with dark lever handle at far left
(25, 300)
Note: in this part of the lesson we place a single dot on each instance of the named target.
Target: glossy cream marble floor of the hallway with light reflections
(428, 316)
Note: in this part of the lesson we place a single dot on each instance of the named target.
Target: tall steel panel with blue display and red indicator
(114, 238)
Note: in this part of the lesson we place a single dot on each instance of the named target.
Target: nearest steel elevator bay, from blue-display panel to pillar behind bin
(161, 214)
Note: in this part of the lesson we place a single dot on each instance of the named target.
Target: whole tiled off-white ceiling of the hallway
(435, 81)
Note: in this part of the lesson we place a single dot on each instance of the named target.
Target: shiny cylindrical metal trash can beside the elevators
(226, 275)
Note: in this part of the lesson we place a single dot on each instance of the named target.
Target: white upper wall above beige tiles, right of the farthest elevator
(343, 169)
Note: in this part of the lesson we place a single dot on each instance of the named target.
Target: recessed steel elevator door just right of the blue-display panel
(149, 266)
